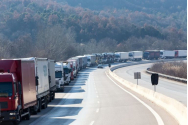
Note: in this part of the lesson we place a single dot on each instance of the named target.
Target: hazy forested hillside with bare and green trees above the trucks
(60, 29)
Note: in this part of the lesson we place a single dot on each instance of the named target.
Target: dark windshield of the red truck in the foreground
(5, 89)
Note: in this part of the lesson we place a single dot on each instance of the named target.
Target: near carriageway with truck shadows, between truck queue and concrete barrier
(95, 99)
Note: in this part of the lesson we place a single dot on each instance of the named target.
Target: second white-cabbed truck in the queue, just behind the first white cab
(67, 72)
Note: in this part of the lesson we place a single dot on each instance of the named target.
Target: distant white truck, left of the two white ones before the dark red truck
(121, 56)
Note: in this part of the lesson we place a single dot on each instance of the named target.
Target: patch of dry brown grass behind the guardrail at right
(177, 69)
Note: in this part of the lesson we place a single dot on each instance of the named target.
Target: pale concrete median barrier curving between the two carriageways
(172, 106)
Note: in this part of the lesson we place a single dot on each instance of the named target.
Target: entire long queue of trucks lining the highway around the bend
(28, 84)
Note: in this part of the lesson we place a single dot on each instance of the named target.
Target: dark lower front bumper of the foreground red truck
(8, 116)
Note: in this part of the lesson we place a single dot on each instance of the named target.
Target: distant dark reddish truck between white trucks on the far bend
(151, 54)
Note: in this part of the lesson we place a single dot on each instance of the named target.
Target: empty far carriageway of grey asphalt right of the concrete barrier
(173, 89)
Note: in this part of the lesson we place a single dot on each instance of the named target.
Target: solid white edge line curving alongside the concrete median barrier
(158, 118)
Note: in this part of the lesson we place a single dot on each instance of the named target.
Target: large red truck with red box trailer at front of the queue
(17, 90)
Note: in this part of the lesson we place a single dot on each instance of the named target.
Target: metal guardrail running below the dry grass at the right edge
(169, 77)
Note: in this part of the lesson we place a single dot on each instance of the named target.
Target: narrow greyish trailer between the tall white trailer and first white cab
(51, 70)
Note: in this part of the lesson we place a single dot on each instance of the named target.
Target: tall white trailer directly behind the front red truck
(42, 81)
